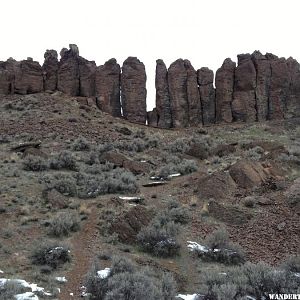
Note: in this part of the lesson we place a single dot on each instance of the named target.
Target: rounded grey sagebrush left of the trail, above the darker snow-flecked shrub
(64, 223)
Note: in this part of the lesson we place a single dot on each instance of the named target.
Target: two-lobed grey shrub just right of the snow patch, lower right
(220, 249)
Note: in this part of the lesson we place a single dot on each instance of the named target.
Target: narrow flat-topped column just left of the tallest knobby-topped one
(50, 69)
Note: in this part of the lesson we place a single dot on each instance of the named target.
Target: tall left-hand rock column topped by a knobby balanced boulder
(68, 72)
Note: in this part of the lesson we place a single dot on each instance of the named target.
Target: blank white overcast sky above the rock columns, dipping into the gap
(205, 32)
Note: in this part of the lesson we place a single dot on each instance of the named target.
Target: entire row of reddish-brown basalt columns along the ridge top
(261, 87)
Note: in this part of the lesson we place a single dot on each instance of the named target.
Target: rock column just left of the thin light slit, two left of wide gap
(107, 87)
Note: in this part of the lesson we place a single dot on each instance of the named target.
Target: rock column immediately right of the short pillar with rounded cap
(224, 91)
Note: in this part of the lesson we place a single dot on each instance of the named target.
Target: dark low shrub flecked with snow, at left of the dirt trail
(50, 253)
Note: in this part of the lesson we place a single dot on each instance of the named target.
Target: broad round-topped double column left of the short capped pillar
(184, 94)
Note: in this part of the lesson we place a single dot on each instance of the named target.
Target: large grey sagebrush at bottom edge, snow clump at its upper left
(126, 281)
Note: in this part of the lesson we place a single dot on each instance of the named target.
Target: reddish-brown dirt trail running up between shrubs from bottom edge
(83, 251)
